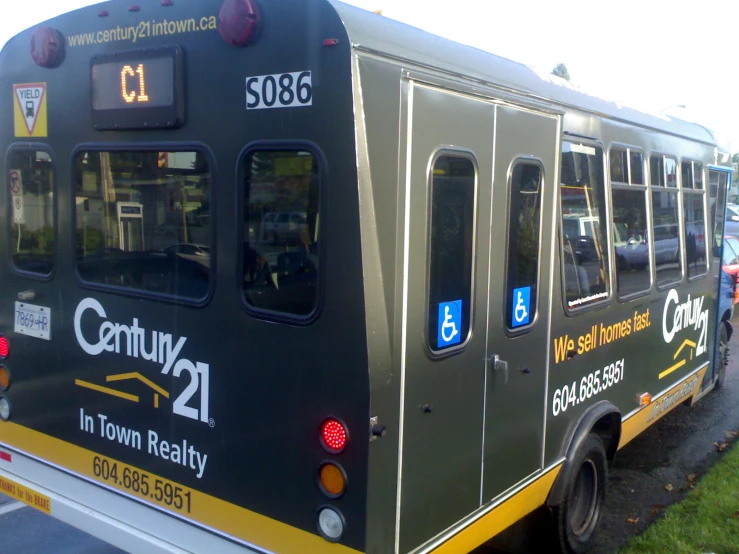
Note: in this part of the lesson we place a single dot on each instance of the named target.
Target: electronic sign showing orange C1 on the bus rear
(137, 90)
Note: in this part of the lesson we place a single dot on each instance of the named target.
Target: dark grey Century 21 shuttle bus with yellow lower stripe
(289, 276)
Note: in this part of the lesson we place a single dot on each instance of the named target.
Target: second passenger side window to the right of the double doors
(629, 200)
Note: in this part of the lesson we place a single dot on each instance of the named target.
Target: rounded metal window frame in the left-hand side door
(454, 151)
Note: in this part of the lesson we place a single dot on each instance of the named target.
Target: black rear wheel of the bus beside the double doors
(578, 516)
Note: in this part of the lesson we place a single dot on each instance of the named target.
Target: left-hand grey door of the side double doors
(447, 196)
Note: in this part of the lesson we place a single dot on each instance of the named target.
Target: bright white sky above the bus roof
(657, 55)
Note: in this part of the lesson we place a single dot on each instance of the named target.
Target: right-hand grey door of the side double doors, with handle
(519, 297)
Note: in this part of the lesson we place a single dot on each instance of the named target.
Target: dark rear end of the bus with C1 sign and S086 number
(182, 280)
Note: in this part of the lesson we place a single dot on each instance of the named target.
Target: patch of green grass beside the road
(706, 521)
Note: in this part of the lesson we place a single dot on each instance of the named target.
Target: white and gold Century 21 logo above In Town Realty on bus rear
(160, 348)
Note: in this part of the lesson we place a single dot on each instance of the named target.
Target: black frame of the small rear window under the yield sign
(32, 147)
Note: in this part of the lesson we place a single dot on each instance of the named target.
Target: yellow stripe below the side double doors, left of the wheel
(502, 516)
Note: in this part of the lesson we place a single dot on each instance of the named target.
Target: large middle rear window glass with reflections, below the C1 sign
(143, 221)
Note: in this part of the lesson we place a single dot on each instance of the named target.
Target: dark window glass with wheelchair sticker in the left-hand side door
(451, 238)
